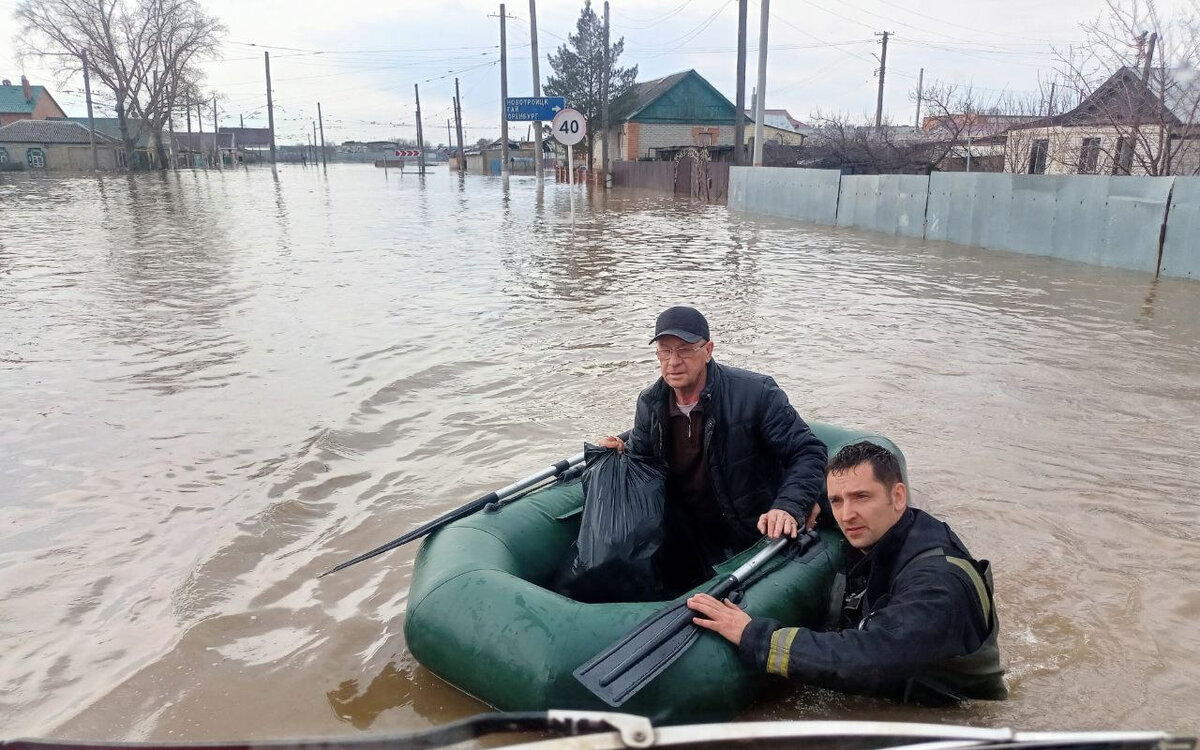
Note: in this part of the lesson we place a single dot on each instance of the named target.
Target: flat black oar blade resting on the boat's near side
(623, 669)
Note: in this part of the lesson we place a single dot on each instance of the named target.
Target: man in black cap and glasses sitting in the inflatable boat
(742, 463)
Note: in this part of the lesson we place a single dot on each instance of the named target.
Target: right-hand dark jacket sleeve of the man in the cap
(801, 453)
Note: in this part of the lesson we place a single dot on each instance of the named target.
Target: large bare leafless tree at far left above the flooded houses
(146, 52)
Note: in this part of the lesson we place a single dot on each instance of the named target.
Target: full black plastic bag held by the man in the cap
(621, 532)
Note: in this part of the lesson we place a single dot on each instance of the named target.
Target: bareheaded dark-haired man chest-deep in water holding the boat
(914, 619)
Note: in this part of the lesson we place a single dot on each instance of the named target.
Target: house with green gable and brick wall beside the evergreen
(674, 112)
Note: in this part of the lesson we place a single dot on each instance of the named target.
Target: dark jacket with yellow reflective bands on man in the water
(926, 632)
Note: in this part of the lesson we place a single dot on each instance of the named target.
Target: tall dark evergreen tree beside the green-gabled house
(579, 74)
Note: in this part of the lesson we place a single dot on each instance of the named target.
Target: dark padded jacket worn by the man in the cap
(761, 454)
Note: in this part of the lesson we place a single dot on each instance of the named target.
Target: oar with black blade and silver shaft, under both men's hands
(627, 667)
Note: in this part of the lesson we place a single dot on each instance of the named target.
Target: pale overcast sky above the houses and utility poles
(361, 58)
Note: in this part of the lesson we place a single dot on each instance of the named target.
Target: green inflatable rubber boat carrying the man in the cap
(482, 619)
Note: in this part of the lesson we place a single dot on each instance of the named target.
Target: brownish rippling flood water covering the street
(217, 386)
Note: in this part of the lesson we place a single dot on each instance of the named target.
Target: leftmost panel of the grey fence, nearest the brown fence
(805, 195)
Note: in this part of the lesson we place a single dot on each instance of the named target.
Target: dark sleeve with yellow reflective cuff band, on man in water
(929, 619)
